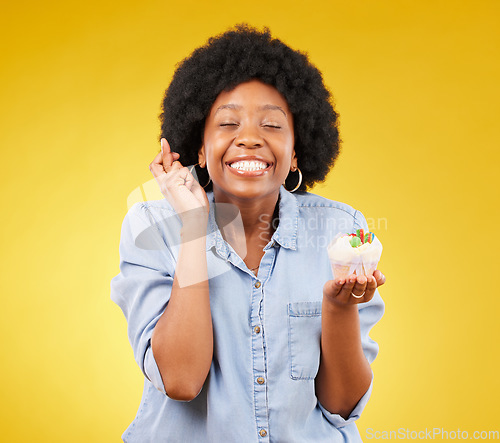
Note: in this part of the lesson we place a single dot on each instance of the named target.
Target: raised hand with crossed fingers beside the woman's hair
(178, 185)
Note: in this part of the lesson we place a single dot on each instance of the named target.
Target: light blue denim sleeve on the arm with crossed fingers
(143, 286)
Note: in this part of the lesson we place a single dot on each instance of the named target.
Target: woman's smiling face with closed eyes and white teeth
(248, 142)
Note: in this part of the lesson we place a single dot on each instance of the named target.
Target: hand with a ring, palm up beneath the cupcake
(340, 290)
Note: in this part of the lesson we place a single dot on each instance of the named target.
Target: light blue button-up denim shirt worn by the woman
(267, 327)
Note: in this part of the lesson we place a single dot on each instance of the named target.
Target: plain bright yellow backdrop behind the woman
(416, 85)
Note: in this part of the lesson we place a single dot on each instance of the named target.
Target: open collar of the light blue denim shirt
(285, 234)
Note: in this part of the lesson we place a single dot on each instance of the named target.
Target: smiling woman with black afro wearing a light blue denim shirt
(237, 325)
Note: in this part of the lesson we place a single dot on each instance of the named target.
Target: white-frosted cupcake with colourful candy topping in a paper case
(357, 253)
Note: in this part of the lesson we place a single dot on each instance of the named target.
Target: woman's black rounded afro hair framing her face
(237, 56)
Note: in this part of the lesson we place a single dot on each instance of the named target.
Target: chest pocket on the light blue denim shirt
(304, 337)
